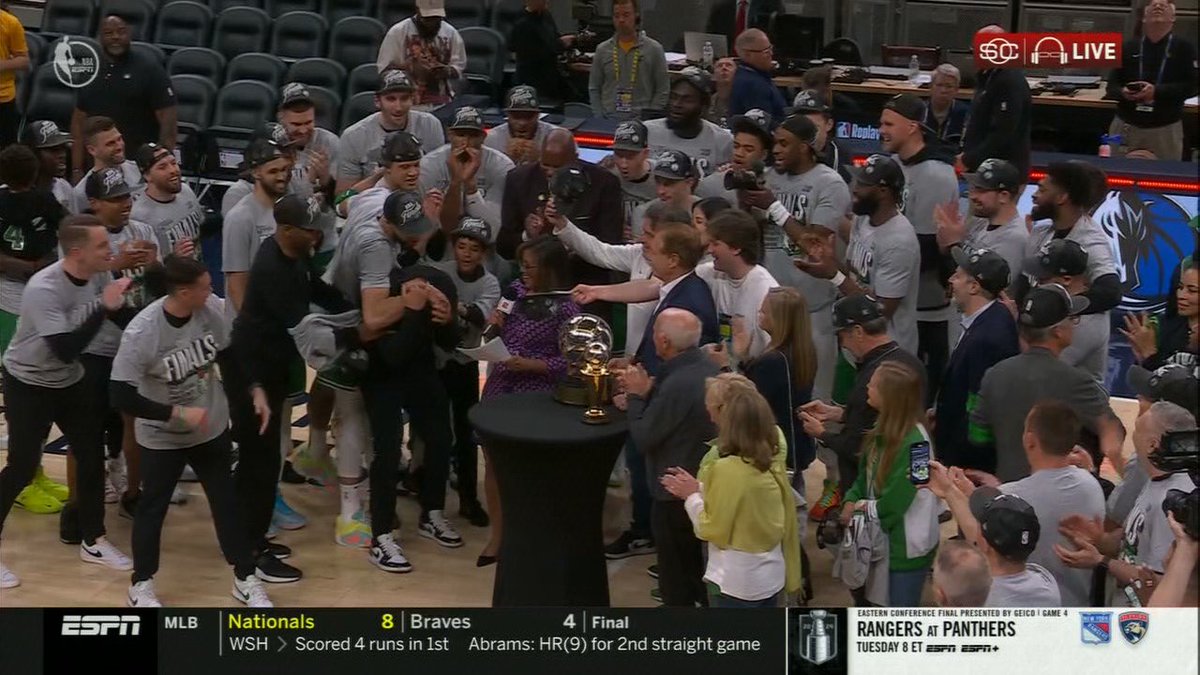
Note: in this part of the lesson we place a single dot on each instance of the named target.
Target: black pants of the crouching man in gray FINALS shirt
(160, 473)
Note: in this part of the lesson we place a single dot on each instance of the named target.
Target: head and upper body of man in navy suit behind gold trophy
(674, 253)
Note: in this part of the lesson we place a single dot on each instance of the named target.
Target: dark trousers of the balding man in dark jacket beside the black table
(681, 555)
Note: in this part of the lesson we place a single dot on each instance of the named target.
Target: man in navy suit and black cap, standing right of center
(989, 337)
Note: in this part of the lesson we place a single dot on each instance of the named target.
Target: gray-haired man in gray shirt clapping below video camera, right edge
(1135, 557)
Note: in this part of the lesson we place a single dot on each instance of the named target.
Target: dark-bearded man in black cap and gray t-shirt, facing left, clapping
(884, 256)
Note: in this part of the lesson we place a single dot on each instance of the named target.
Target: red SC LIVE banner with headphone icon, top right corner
(1048, 50)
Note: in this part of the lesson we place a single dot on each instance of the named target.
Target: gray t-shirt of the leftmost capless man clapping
(52, 306)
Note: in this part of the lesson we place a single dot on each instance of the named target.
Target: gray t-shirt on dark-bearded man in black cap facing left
(887, 261)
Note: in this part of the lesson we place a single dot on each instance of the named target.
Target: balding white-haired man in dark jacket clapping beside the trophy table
(670, 426)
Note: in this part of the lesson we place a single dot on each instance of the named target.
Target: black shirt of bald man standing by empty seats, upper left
(129, 89)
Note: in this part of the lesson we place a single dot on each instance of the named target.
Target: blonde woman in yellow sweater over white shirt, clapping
(742, 504)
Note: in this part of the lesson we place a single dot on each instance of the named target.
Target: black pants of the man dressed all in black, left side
(259, 455)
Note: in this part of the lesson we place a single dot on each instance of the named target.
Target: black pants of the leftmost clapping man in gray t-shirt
(31, 413)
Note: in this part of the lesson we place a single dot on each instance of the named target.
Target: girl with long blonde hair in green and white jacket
(884, 488)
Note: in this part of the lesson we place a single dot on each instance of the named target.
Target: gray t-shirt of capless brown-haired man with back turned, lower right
(1055, 494)
